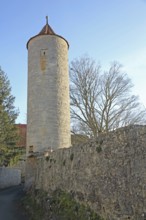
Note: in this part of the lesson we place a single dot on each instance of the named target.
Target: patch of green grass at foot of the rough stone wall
(60, 205)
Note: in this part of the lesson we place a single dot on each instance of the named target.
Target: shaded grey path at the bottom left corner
(10, 204)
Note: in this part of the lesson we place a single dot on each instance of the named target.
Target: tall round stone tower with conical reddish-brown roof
(48, 111)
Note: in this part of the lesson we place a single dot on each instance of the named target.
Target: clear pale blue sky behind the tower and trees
(106, 30)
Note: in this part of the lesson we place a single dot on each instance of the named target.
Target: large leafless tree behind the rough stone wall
(102, 101)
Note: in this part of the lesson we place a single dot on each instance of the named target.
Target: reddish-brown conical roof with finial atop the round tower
(46, 30)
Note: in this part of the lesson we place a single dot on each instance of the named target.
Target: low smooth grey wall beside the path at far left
(9, 177)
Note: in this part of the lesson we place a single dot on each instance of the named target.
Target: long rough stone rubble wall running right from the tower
(109, 173)
